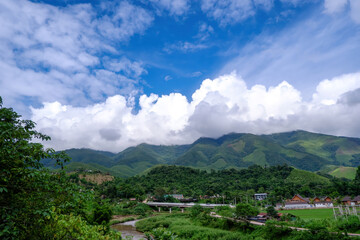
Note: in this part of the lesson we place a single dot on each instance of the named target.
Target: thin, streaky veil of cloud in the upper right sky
(318, 47)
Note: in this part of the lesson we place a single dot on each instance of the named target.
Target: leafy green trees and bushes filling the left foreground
(36, 203)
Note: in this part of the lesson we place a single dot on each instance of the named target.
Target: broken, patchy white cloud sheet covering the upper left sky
(48, 53)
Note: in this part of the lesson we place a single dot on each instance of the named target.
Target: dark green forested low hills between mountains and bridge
(281, 182)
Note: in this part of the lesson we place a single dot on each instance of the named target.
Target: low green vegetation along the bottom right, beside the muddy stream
(198, 224)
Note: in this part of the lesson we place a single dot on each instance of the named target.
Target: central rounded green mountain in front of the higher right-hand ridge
(244, 150)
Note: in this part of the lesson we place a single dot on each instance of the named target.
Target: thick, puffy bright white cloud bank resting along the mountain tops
(219, 106)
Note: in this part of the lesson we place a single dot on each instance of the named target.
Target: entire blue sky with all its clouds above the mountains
(168, 72)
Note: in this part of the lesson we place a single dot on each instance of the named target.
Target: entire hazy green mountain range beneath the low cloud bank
(300, 149)
